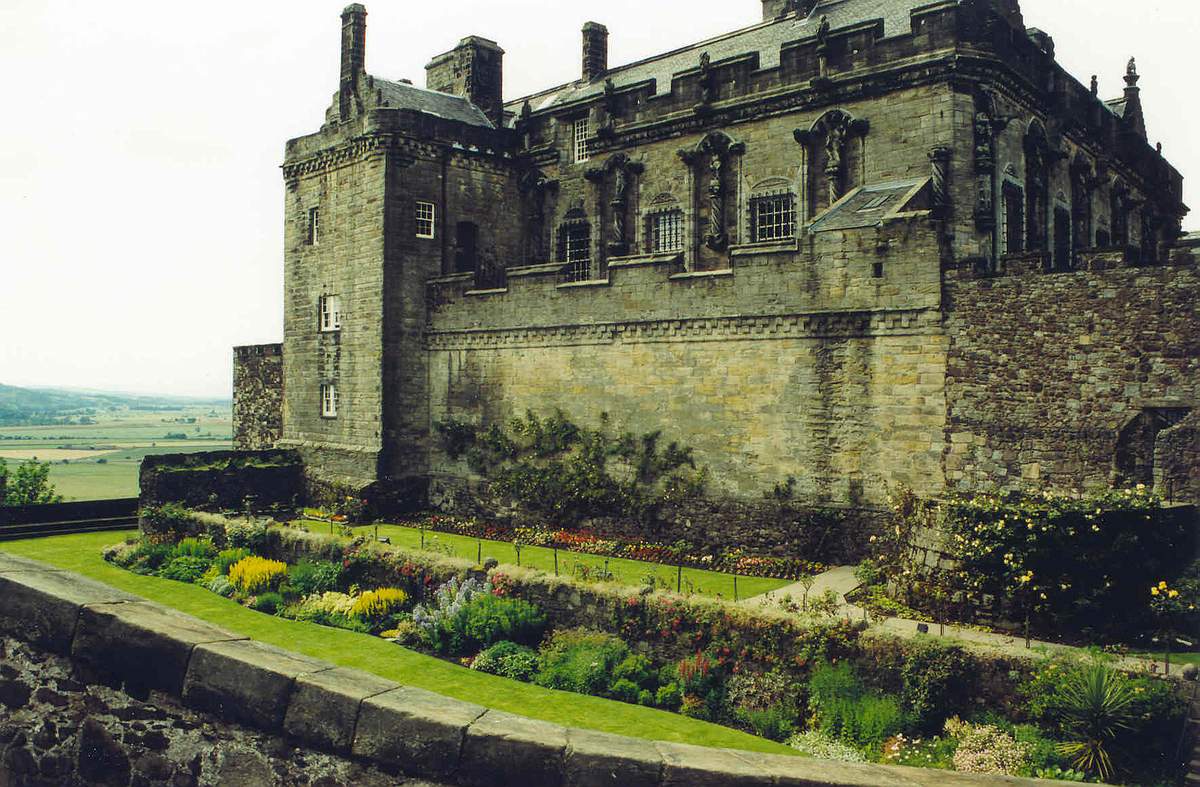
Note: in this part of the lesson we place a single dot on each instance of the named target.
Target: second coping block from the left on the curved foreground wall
(142, 645)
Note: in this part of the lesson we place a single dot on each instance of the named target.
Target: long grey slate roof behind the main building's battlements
(765, 39)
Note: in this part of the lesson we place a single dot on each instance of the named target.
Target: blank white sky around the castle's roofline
(141, 200)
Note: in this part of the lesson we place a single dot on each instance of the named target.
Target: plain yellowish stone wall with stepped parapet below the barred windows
(743, 367)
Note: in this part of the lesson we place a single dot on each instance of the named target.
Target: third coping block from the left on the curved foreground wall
(245, 681)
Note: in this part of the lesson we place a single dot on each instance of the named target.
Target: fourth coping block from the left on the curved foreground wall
(325, 706)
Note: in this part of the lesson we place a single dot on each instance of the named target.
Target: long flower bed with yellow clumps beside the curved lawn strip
(877, 696)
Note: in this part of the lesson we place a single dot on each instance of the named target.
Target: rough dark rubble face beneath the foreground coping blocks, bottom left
(56, 731)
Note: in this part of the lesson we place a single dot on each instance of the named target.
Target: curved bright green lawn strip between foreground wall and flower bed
(82, 555)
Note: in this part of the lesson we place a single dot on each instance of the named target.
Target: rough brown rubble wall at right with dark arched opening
(1060, 380)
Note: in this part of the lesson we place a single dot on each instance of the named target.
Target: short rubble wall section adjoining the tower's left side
(257, 396)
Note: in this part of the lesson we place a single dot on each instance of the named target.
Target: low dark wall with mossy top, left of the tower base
(224, 479)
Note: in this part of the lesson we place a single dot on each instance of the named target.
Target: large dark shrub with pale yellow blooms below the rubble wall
(1070, 563)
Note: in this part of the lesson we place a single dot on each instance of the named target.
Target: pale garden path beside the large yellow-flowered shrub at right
(842, 580)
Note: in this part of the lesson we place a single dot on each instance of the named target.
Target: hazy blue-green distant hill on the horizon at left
(50, 406)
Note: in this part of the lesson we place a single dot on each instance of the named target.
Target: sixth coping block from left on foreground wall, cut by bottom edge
(503, 748)
